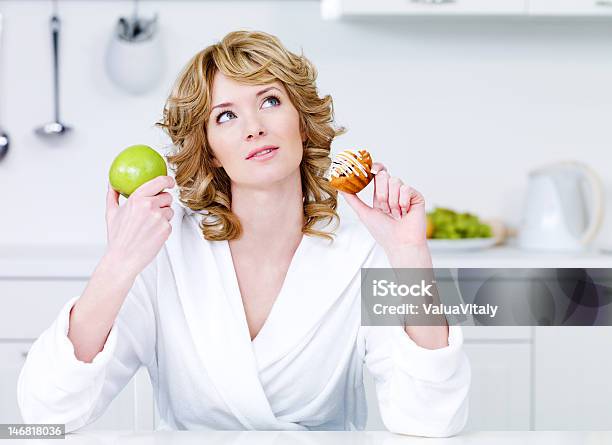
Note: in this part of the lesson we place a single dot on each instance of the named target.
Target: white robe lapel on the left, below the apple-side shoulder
(216, 332)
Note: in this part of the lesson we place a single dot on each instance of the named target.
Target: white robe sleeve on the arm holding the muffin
(421, 392)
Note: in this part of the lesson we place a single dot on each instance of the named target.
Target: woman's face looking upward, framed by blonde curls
(247, 120)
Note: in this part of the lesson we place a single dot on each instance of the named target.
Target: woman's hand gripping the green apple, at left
(137, 230)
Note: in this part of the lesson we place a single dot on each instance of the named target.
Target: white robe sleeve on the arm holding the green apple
(55, 387)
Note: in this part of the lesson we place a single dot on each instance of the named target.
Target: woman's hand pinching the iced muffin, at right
(397, 217)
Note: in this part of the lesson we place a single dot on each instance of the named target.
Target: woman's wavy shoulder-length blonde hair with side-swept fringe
(254, 58)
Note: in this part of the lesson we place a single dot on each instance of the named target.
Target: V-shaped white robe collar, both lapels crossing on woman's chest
(318, 275)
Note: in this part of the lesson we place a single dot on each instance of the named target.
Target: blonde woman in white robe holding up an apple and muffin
(244, 312)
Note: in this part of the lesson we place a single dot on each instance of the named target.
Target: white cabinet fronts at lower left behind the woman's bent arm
(29, 306)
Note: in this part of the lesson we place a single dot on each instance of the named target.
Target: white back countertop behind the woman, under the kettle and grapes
(79, 261)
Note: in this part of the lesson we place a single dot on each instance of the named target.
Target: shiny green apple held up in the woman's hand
(133, 167)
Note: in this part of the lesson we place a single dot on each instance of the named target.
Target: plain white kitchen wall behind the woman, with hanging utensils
(460, 109)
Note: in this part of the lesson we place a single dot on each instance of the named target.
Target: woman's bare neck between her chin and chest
(271, 214)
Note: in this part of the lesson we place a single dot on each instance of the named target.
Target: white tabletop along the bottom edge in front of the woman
(327, 438)
